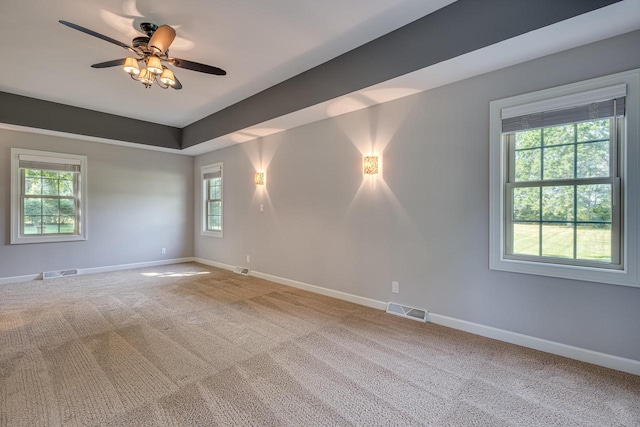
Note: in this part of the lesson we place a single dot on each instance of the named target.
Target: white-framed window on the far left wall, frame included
(48, 197)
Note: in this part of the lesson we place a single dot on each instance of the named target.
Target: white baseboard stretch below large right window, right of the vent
(596, 358)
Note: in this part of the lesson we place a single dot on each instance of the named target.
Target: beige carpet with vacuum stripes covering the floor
(192, 345)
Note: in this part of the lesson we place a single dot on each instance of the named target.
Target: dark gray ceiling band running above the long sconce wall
(461, 27)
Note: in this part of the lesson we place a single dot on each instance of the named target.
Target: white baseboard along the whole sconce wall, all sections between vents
(589, 356)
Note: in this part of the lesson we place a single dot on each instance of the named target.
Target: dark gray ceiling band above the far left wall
(35, 113)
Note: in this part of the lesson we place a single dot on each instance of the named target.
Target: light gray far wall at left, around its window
(139, 202)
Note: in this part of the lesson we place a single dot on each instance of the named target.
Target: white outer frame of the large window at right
(550, 99)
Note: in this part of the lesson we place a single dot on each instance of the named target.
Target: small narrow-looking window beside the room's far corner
(212, 200)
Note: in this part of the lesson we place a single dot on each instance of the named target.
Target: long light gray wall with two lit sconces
(424, 221)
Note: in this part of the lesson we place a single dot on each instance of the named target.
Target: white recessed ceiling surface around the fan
(259, 44)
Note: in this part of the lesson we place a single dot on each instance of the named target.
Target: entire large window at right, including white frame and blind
(564, 181)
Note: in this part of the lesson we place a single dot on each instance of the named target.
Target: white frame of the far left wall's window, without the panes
(17, 238)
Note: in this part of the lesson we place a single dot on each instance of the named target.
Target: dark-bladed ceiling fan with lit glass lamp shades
(153, 51)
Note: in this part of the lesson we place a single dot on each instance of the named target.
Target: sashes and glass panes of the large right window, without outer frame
(561, 192)
